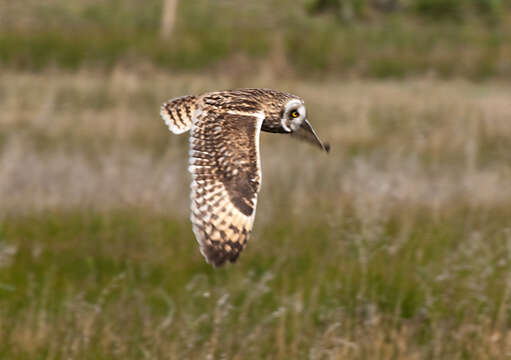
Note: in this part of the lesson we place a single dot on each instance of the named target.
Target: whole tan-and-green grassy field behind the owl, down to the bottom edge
(397, 245)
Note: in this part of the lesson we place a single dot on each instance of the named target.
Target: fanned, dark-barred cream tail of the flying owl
(177, 113)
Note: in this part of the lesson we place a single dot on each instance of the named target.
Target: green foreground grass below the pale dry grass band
(124, 284)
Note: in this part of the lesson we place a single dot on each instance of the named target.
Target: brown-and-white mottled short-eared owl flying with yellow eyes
(224, 158)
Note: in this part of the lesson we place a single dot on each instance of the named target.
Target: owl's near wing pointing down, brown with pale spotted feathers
(226, 176)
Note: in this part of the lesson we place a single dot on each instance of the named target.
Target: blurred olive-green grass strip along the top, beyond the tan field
(281, 35)
